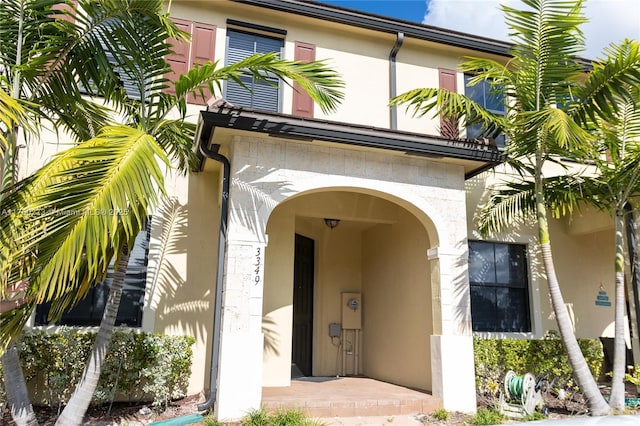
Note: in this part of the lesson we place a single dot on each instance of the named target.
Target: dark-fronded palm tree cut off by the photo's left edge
(42, 60)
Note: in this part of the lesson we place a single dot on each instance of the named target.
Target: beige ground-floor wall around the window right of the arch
(583, 250)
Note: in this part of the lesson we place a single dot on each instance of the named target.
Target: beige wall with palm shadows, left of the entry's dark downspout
(181, 276)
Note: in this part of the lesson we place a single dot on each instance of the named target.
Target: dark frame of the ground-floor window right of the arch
(528, 326)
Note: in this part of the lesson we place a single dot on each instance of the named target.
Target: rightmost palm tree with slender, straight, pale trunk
(615, 184)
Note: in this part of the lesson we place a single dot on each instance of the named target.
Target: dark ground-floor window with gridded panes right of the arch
(499, 288)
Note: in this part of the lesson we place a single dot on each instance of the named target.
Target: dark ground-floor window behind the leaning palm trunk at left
(88, 311)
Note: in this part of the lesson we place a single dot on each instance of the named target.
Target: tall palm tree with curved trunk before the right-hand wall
(548, 103)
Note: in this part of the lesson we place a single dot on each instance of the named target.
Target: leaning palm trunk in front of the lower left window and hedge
(76, 408)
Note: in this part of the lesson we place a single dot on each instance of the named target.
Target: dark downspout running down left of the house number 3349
(213, 154)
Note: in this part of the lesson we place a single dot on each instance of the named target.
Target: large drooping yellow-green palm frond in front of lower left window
(78, 204)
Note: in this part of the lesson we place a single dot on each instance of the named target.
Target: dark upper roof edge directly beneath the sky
(380, 23)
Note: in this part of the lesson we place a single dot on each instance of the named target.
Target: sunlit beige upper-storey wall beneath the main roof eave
(360, 56)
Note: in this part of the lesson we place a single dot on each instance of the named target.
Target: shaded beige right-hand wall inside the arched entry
(397, 293)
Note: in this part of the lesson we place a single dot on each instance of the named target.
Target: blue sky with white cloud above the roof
(609, 20)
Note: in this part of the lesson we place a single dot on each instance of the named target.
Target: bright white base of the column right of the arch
(453, 372)
